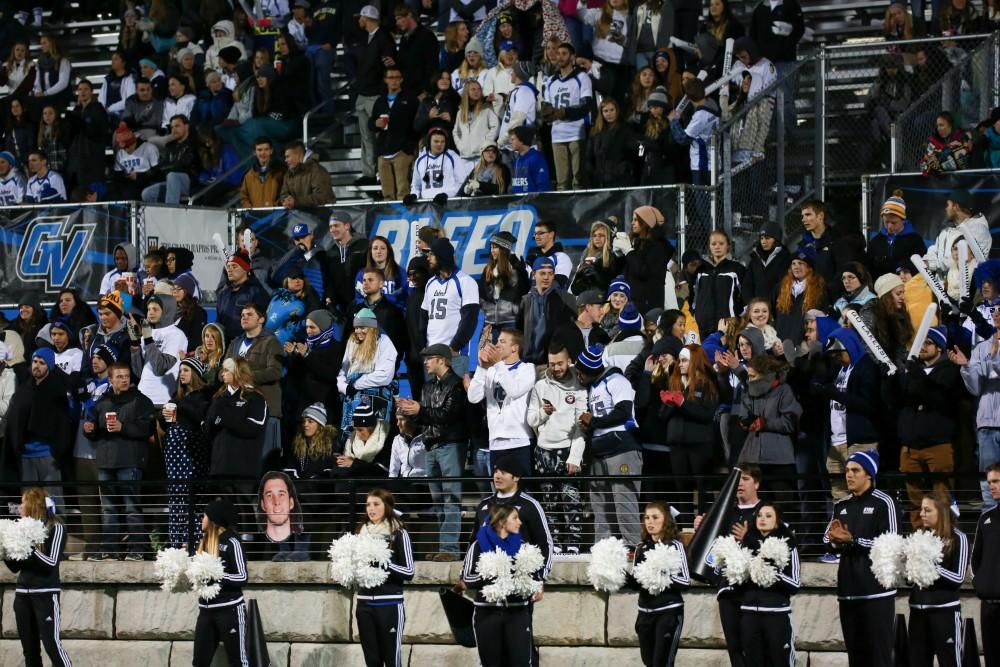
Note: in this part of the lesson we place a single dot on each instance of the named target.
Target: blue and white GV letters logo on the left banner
(52, 249)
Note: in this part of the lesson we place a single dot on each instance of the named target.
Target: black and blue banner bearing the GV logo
(45, 250)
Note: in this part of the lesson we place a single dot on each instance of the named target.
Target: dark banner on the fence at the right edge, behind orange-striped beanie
(926, 198)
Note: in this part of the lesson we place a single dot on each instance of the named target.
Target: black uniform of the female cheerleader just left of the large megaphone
(661, 616)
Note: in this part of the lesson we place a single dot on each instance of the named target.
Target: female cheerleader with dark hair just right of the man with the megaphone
(766, 623)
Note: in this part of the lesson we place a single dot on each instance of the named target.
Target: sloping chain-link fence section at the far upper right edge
(968, 90)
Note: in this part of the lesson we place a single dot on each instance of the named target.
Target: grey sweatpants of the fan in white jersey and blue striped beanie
(616, 504)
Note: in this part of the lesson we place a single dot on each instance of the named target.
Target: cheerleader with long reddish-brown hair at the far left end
(36, 596)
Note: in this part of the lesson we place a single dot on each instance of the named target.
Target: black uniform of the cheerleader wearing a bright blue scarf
(504, 635)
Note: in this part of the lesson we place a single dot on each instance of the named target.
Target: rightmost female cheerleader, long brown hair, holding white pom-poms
(935, 614)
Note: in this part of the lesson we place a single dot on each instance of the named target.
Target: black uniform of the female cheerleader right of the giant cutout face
(379, 612)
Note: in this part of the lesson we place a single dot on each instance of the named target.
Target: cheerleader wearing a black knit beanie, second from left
(224, 617)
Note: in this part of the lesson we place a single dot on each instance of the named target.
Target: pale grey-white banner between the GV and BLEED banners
(165, 229)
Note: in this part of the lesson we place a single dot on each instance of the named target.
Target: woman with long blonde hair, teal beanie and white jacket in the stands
(368, 370)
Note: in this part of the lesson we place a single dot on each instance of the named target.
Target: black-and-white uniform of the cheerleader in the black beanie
(224, 617)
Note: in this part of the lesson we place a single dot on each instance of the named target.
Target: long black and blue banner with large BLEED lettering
(469, 223)
